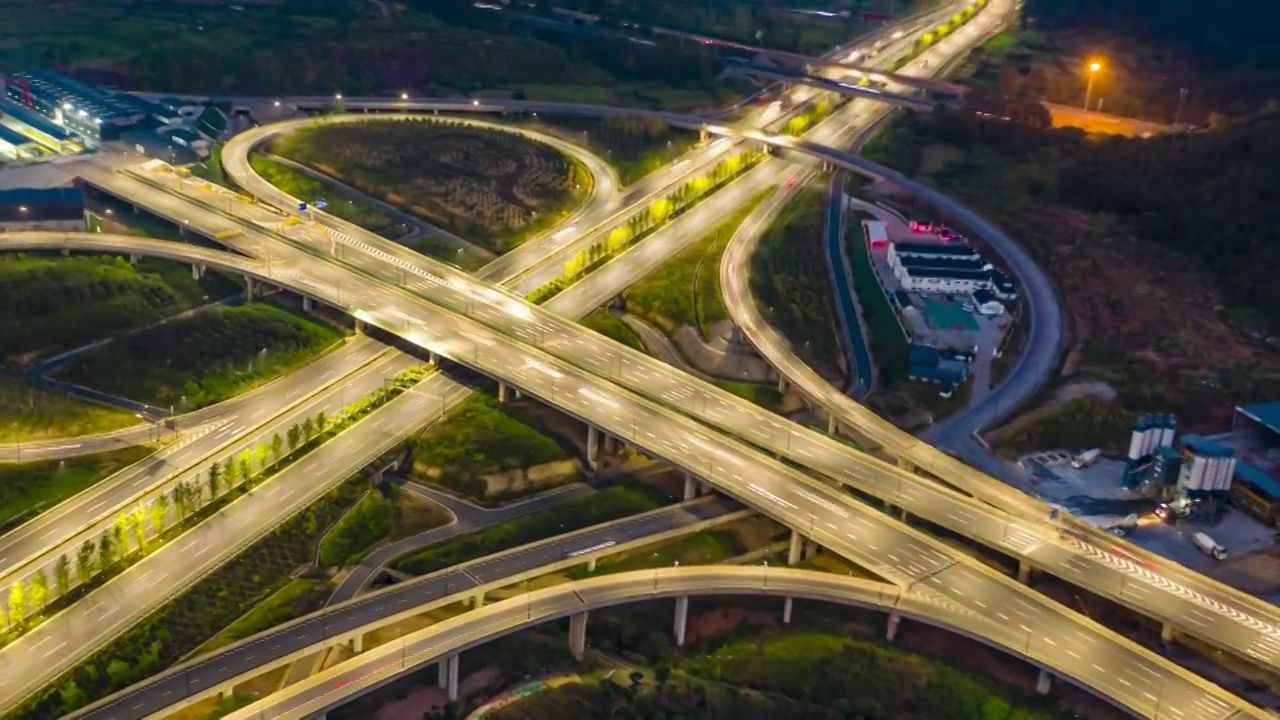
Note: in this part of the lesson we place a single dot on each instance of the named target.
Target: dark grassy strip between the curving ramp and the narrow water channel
(793, 286)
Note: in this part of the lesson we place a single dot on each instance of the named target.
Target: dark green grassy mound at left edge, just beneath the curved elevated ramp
(48, 304)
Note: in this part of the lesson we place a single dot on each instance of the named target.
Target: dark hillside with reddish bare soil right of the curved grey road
(1164, 249)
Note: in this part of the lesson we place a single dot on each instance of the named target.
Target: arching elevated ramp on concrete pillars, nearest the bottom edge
(1103, 675)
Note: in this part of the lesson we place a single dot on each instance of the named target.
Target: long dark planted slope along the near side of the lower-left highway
(188, 622)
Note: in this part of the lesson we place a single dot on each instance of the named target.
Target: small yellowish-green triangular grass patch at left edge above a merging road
(33, 413)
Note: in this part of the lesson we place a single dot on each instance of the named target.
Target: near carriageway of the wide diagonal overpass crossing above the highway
(865, 536)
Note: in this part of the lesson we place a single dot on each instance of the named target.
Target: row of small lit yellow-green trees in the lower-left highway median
(132, 534)
